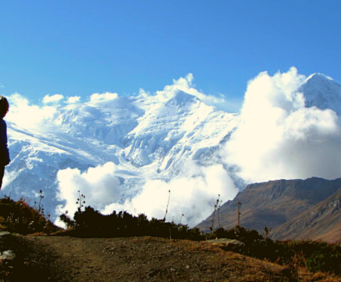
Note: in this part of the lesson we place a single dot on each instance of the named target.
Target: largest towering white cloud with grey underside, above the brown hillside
(279, 138)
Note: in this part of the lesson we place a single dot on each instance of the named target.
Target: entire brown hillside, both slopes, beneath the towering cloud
(293, 209)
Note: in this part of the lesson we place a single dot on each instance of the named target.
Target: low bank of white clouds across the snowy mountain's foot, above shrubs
(191, 195)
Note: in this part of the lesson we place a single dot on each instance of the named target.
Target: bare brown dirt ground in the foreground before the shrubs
(62, 258)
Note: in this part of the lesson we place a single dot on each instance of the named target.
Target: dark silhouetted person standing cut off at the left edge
(4, 154)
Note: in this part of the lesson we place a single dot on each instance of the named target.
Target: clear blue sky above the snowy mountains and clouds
(81, 47)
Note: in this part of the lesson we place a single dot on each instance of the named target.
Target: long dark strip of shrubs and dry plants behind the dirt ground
(315, 256)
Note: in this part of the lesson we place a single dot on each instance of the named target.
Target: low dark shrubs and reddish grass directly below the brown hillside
(314, 255)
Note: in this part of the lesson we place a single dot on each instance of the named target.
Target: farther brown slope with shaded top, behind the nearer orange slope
(274, 204)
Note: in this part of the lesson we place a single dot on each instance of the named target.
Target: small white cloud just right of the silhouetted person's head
(22, 113)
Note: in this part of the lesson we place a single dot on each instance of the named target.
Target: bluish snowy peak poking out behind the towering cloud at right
(322, 92)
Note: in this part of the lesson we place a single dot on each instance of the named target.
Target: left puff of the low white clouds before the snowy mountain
(100, 186)
